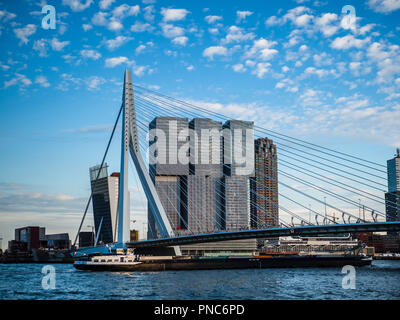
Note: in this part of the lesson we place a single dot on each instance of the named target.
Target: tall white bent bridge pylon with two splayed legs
(130, 145)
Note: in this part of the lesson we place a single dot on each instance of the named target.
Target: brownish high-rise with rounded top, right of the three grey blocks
(264, 186)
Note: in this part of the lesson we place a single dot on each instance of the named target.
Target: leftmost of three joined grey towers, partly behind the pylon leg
(168, 169)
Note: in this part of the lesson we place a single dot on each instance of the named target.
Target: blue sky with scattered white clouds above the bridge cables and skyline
(288, 65)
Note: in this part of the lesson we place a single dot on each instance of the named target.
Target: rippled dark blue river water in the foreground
(381, 280)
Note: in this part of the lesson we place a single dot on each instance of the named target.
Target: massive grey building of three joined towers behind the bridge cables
(202, 186)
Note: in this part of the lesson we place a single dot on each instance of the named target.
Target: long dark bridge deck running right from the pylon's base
(305, 231)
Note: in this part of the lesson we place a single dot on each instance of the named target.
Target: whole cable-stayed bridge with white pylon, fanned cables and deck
(192, 201)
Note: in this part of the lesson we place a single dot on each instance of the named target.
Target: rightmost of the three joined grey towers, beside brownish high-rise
(238, 161)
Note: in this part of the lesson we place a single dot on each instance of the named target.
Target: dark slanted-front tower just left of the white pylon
(105, 203)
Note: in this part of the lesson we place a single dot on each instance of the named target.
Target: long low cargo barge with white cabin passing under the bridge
(135, 263)
